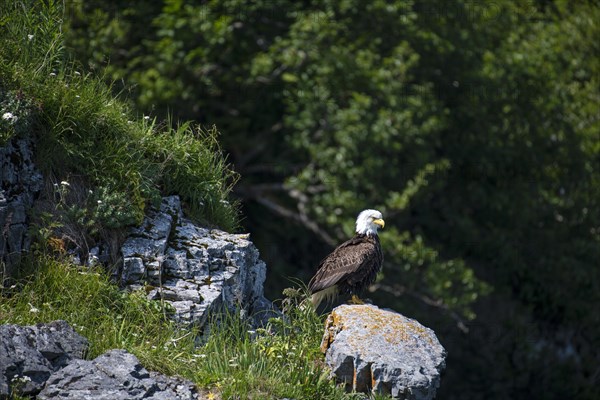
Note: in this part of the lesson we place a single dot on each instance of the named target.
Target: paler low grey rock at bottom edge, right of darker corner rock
(114, 375)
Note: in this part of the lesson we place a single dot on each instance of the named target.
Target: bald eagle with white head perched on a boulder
(353, 265)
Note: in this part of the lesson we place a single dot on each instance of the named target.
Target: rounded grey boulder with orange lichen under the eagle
(380, 351)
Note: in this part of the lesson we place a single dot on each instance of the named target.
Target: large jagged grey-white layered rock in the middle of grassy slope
(196, 270)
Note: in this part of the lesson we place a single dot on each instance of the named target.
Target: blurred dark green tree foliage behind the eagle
(473, 126)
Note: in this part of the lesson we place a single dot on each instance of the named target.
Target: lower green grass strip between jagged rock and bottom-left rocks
(281, 361)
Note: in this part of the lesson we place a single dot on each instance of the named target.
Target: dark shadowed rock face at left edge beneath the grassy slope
(20, 182)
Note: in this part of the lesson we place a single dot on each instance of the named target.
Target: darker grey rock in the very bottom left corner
(30, 354)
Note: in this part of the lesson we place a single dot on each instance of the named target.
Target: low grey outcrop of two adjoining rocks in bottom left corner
(45, 361)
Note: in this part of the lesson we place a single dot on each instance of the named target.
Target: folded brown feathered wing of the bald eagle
(346, 259)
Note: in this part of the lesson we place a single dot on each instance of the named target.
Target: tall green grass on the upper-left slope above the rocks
(85, 133)
